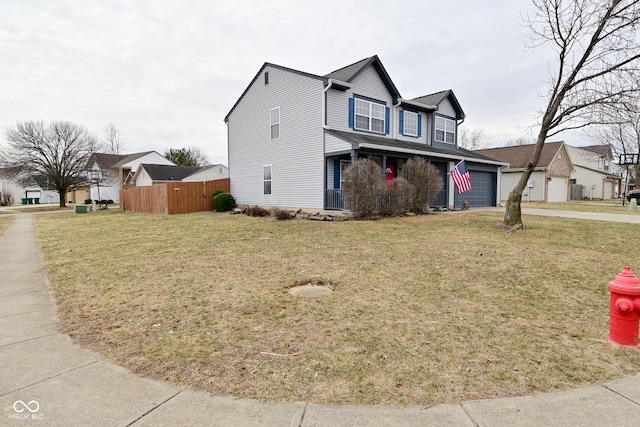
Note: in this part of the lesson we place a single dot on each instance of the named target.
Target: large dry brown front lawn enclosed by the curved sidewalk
(425, 309)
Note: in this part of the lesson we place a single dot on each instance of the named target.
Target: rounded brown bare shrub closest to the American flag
(426, 181)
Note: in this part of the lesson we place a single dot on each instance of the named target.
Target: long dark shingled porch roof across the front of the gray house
(358, 140)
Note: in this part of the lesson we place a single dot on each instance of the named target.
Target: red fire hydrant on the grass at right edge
(624, 310)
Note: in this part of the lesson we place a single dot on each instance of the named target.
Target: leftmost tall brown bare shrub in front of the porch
(362, 187)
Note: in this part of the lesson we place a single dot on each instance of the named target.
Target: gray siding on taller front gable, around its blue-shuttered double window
(368, 84)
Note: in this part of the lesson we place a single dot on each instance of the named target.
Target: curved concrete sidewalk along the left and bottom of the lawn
(45, 379)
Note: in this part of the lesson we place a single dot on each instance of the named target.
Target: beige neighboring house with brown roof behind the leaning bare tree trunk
(549, 181)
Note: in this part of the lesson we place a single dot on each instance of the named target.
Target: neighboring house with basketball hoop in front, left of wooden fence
(116, 169)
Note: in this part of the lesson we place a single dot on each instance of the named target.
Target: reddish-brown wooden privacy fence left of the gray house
(168, 198)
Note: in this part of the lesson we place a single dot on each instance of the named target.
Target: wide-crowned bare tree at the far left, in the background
(58, 151)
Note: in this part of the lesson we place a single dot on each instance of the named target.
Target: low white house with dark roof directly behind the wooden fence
(148, 174)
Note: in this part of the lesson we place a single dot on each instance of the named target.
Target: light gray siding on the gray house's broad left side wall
(296, 157)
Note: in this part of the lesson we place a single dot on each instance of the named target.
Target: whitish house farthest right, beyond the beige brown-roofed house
(594, 176)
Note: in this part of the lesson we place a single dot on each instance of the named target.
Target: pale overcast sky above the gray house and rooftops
(167, 72)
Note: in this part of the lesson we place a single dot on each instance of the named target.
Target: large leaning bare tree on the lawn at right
(597, 51)
